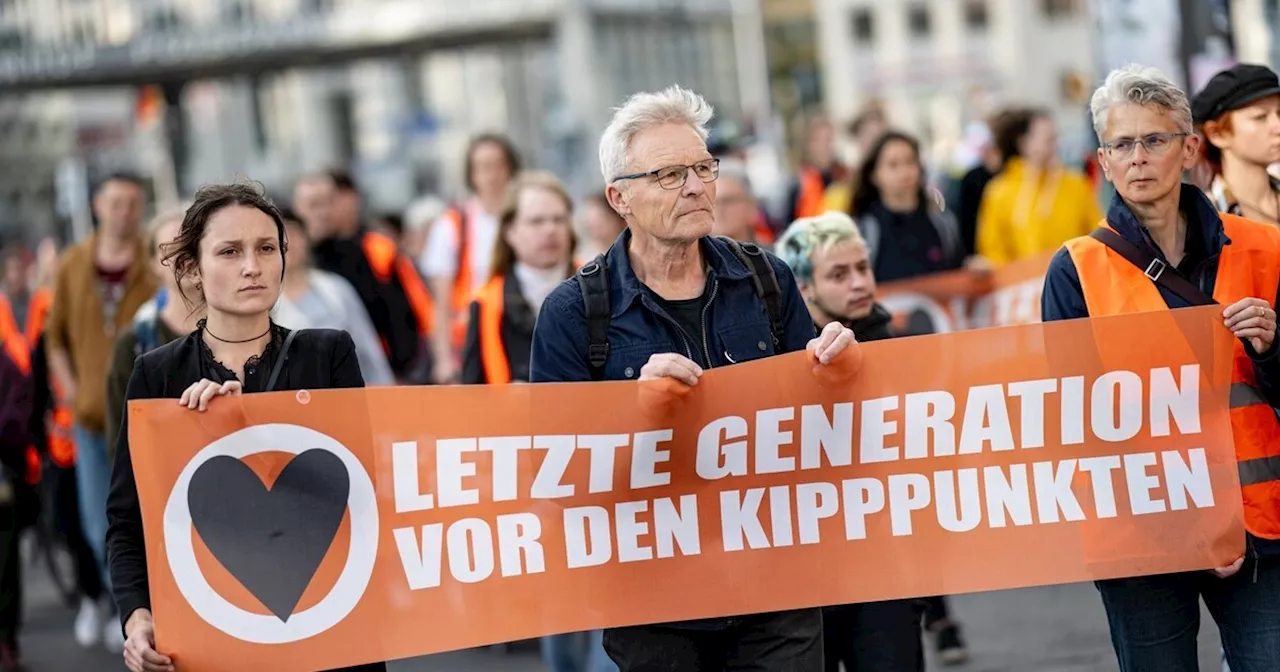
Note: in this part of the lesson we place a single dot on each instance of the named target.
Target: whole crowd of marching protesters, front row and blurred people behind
(207, 300)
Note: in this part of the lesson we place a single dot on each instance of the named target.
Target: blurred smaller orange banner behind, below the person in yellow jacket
(968, 300)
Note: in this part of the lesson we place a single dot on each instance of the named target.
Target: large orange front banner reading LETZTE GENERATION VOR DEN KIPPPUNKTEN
(310, 531)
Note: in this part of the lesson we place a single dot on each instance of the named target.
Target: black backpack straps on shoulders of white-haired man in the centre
(595, 284)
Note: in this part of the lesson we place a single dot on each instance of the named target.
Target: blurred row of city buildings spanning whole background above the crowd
(191, 92)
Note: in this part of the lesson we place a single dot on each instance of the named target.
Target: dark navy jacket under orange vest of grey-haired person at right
(1063, 298)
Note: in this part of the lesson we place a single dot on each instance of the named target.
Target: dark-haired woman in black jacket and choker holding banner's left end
(231, 249)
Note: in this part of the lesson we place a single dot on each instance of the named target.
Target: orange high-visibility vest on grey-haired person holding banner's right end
(1247, 268)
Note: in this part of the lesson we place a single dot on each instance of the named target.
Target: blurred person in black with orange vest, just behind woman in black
(388, 285)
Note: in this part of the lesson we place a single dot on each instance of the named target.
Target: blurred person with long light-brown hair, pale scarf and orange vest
(533, 254)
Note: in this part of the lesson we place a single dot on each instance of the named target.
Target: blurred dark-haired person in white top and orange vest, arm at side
(459, 249)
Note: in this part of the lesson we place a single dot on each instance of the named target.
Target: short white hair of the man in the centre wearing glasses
(647, 111)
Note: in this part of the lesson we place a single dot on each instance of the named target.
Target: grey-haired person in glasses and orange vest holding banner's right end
(1165, 246)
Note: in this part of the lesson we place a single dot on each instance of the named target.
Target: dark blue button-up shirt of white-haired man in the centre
(735, 323)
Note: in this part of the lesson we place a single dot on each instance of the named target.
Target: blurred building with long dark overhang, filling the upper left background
(191, 92)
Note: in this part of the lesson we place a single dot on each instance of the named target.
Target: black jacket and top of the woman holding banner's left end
(318, 359)
